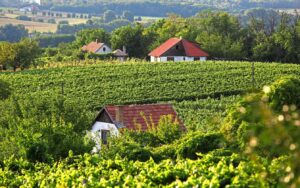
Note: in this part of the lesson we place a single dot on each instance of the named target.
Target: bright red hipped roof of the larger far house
(191, 49)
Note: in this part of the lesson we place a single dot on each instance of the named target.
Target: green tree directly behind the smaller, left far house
(84, 37)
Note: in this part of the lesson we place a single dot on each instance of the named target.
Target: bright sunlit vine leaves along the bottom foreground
(93, 171)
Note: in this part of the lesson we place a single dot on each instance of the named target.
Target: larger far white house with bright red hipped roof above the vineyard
(178, 49)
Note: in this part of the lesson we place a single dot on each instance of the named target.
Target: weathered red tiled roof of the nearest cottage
(130, 115)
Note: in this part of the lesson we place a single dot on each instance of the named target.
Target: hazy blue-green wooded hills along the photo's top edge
(162, 8)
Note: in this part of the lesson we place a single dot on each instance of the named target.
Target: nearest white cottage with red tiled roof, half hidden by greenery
(113, 118)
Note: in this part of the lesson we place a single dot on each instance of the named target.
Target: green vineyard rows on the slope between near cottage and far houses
(98, 85)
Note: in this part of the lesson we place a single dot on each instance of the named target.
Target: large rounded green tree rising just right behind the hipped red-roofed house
(220, 34)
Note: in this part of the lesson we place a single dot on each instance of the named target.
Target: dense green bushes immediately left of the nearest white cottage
(42, 129)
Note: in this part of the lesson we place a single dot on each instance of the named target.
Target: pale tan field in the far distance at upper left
(31, 26)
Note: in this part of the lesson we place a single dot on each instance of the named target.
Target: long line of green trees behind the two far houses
(270, 37)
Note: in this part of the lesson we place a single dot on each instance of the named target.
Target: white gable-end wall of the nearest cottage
(95, 133)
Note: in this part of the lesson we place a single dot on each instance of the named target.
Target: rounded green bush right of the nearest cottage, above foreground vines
(197, 142)
